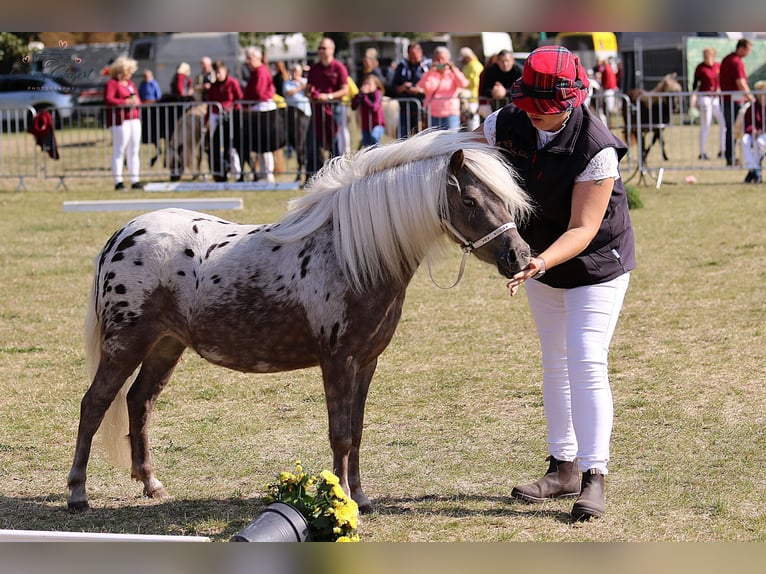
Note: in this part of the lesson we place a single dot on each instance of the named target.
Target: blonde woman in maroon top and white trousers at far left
(124, 121)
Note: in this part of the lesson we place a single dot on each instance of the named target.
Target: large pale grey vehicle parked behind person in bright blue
(162, 53)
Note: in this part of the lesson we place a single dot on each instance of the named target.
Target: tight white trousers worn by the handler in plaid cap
(575, 327)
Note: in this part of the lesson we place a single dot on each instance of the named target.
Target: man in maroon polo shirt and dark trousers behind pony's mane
(327, 85)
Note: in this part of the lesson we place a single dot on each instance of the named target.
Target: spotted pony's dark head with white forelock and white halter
(481, 220)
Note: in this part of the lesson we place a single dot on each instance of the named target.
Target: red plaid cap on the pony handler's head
(553, 81)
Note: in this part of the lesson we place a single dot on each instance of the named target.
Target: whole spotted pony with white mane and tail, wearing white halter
(324, 286)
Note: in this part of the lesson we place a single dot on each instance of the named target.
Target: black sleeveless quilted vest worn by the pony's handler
(548, 175)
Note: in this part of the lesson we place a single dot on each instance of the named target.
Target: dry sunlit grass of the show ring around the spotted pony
(454, 417)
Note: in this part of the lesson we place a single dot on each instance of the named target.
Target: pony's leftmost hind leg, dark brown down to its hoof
(109, 378)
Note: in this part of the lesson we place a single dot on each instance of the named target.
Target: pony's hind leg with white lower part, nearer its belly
(155, 372)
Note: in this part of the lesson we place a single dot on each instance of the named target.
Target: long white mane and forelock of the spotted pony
(387, 202)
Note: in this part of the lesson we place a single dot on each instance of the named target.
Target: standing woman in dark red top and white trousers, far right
(707, 98)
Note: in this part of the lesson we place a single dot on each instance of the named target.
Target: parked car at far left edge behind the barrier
(38, 91)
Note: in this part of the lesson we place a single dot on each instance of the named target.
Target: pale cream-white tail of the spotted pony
(113, 431)
